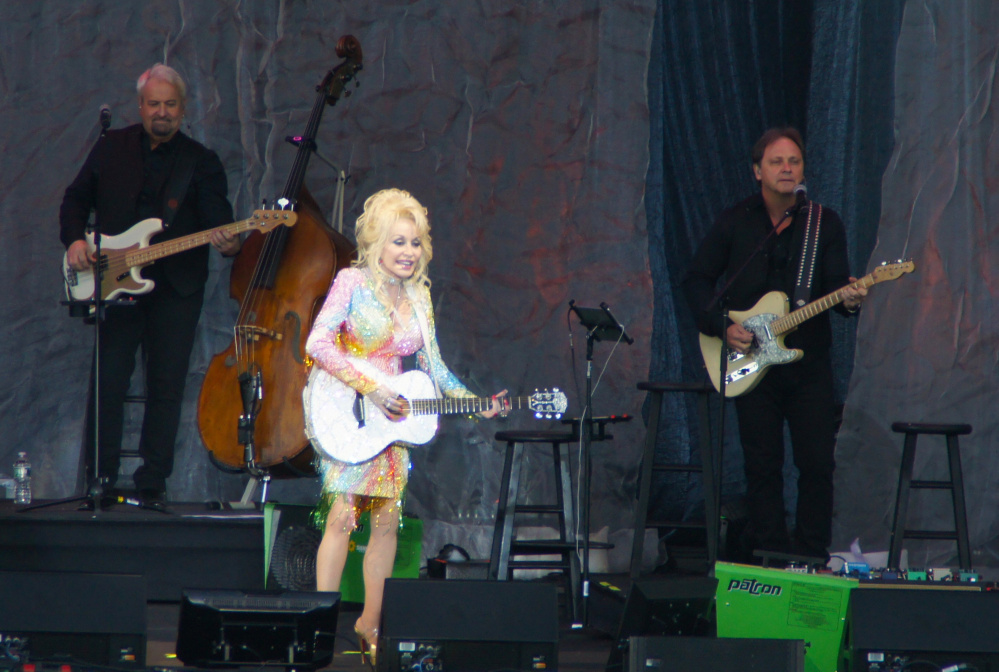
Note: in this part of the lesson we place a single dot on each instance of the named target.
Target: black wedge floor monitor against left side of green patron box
(665, 607)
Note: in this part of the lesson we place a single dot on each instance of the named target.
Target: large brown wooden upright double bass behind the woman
(250, 407)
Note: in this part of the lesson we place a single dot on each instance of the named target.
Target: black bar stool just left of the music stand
(501, 564)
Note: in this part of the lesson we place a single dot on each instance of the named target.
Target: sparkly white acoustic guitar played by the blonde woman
(350, 428)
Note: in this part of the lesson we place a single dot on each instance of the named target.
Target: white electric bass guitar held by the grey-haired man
(124, 255)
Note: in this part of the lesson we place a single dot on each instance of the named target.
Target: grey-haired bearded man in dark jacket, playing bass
(149, 170)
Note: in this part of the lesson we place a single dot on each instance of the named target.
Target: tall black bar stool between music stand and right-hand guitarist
(706, 468)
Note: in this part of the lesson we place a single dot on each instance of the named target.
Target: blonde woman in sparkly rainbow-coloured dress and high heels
(376, 312)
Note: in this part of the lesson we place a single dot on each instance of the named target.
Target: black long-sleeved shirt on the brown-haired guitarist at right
(732, 240)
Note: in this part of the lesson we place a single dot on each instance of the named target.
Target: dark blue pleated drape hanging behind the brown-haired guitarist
(721, 74)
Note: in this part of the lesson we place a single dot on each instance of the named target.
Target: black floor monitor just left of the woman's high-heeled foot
(235, 628)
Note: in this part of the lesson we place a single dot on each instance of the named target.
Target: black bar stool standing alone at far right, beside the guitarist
(899, 533)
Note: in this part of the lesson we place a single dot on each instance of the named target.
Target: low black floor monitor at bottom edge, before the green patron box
(700, 654)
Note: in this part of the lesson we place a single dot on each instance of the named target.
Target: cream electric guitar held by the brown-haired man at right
(770, 323)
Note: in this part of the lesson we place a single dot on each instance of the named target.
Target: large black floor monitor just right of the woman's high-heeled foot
(473, 626)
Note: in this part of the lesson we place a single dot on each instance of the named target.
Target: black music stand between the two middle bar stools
(601, 325)
